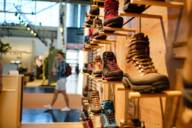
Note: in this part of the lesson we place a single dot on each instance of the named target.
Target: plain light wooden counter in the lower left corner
(10, 102)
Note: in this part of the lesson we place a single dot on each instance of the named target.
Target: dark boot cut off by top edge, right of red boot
(133, 8)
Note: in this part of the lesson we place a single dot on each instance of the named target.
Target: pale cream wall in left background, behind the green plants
(24, 49)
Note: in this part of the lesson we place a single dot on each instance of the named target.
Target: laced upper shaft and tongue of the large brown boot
(139, 54)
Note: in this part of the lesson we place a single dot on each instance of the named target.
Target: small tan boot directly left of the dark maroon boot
(98, 67)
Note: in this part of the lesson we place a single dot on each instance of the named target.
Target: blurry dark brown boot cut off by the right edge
(187, 94)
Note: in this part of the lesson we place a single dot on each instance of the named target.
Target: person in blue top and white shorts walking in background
(59, 71)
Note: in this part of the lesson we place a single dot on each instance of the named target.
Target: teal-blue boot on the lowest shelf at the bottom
(108, 114)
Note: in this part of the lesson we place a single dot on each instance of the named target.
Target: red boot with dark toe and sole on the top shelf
(111, 18)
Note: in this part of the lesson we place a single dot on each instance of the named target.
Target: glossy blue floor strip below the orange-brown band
(50, 116)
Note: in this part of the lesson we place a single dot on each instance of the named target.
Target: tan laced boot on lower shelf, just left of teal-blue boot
(95, 102)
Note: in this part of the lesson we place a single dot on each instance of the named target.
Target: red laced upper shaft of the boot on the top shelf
(111, 7)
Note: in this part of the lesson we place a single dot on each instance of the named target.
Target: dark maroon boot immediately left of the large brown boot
(111, 70)
